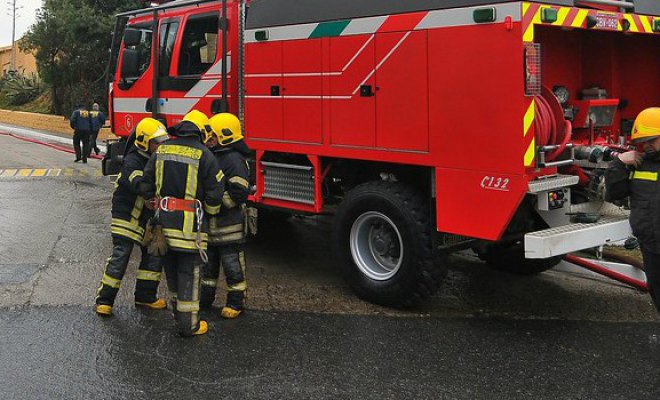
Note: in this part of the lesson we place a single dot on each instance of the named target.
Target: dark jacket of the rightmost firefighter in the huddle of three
(229, 226)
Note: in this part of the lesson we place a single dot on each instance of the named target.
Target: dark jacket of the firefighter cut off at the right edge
(643, 187)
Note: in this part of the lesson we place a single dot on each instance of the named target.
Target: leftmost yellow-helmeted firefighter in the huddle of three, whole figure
(129, 218)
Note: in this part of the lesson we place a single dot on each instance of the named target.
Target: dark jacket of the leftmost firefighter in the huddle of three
(129, 216)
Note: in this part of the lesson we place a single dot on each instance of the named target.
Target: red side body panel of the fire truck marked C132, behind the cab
(395, 90)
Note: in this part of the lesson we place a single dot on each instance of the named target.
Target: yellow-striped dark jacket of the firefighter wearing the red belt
(183, 168)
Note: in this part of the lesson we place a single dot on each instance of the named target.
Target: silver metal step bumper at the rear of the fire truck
(574, 237)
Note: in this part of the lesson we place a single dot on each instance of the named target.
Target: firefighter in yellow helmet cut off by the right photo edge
(635, 174)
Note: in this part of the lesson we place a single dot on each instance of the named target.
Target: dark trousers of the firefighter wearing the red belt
(183, 274)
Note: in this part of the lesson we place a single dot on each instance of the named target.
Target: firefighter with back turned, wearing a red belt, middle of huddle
(185, 182)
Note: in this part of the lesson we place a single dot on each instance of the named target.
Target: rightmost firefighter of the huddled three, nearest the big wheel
(227, 230)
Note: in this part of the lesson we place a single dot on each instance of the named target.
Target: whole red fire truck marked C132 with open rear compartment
(425, 126)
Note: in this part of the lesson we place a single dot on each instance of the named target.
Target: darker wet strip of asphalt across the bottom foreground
(68, 353)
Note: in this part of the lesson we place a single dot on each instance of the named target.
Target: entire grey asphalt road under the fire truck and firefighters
(485, 335)
